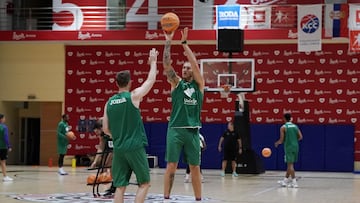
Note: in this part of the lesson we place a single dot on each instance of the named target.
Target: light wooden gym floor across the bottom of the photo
(43, 184)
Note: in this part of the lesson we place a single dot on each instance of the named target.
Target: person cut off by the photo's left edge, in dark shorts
(5, 147)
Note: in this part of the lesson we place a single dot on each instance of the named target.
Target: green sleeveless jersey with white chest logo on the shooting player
(186, 105)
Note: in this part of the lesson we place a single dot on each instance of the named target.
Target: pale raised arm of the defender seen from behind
(138, 93)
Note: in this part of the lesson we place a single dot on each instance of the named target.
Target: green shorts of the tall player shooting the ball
(186, 140)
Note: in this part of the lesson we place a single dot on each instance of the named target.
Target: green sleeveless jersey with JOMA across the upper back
(125, 124)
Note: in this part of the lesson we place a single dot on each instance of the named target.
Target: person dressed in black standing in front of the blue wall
(232, 146)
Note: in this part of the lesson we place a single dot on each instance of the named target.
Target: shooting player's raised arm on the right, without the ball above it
(192, 59)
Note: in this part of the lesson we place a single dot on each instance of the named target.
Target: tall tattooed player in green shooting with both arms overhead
(183, 130)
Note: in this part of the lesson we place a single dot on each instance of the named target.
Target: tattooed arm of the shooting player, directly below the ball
(169, 71)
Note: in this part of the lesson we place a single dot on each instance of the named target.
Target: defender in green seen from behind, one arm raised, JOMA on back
(122, 121)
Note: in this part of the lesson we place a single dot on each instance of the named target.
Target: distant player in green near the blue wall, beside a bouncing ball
(290, 135)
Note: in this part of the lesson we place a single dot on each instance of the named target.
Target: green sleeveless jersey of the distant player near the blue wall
(291, 136)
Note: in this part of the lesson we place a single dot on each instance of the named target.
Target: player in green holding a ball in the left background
(62, 141)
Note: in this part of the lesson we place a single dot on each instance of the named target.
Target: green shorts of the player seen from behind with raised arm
(123, 164)
